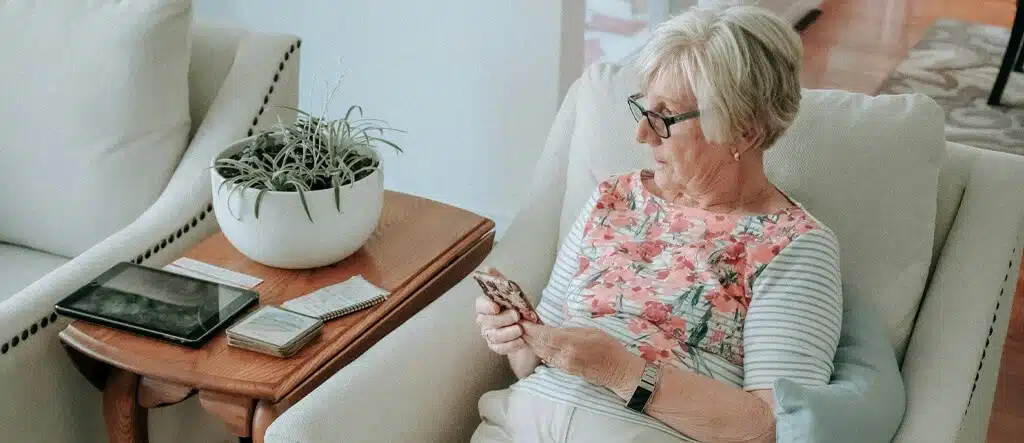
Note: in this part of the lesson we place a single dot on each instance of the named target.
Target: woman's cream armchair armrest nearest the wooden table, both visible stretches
(422, 382)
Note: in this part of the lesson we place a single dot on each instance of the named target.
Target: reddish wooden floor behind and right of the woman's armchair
(855, 46)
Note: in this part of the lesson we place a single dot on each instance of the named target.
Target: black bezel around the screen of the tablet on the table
(246, 299)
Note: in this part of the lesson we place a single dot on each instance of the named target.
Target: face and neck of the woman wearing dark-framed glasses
(686, 159)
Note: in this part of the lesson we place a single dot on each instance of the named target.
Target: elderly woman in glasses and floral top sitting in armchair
(682, 293)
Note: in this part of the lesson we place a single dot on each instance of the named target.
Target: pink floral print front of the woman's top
(677, 280)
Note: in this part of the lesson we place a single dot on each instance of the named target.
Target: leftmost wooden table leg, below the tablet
(126, 420)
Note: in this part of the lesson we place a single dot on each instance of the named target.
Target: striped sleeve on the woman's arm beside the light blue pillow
(793, 325)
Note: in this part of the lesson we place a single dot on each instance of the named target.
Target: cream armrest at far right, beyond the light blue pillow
(954, 355)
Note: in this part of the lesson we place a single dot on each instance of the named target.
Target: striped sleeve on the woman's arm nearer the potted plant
(553, 296)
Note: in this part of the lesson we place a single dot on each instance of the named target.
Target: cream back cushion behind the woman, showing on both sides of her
(868, 167)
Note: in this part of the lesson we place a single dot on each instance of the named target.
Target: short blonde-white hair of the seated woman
(741, 63)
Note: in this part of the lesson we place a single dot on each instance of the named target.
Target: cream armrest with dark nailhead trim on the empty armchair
(46, 397)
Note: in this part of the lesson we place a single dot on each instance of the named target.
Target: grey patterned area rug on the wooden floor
(956, 64)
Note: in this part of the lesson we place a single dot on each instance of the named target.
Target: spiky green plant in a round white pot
(303, 195)
